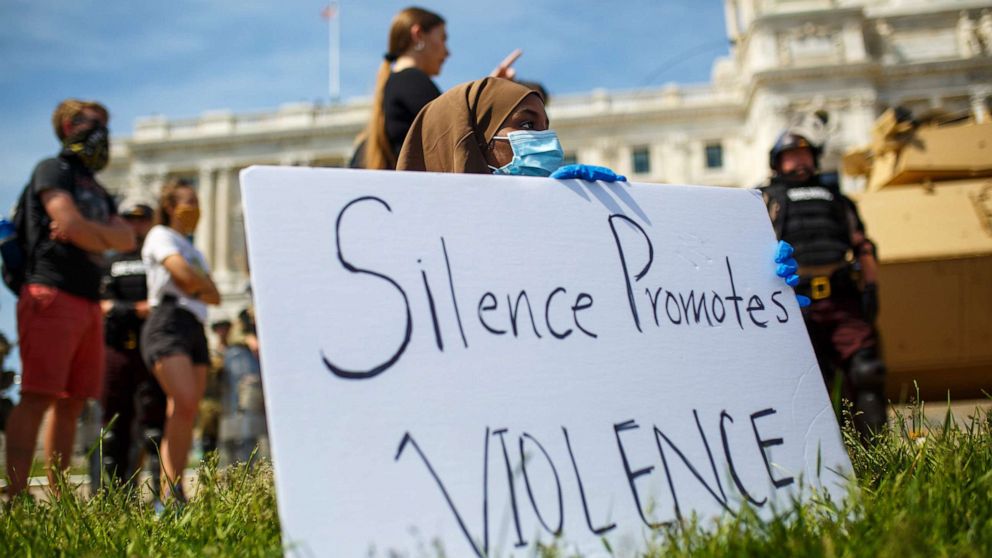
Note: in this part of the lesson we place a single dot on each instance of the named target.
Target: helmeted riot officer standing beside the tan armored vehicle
(837, 270)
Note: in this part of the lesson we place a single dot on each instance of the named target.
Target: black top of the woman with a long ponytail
(405, 93)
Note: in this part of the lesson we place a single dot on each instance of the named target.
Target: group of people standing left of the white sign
(112, 303)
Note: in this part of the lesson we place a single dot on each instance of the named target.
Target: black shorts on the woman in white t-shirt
(173, 330)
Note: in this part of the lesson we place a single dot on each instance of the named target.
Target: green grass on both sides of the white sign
(921, 491)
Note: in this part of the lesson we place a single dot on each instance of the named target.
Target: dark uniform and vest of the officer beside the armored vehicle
(824, 227)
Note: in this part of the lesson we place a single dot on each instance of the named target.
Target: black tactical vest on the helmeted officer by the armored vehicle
(813, 218)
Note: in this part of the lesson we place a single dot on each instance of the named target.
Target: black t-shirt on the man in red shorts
(63, 265)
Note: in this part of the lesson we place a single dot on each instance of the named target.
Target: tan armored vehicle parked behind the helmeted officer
(928, 207)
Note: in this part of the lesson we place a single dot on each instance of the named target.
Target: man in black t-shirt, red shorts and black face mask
(70, 222)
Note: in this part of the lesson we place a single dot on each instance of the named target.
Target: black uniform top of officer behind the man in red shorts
(125, 283)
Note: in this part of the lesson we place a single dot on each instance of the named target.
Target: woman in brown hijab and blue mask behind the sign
(489, 126)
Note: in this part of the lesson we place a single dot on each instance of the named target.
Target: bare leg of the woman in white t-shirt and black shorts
(184, 385)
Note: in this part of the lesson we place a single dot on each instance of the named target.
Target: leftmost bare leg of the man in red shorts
(22, 435)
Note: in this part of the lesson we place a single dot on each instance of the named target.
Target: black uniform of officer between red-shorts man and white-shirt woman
(130, 392)
